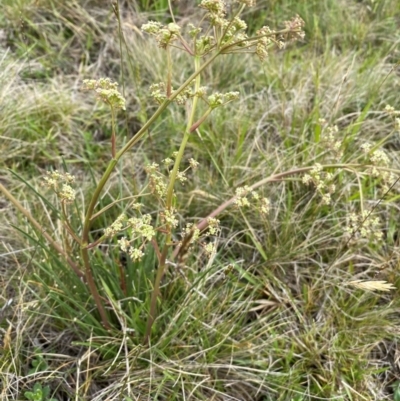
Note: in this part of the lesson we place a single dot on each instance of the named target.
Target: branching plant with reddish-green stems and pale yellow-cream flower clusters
(137, 233)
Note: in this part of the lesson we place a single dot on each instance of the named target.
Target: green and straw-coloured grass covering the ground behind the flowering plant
(269, 318)
